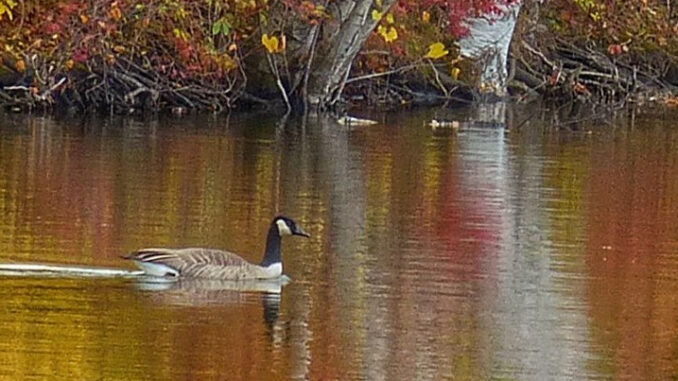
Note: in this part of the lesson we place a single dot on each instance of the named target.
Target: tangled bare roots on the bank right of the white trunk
(568, 70)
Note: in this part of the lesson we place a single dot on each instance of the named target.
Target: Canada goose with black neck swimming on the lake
(218, 264)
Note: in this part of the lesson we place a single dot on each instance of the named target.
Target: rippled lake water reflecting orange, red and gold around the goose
(533, 251)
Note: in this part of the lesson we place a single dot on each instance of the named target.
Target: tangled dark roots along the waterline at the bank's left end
(121, 87)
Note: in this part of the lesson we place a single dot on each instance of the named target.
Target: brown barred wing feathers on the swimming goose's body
(197, 262)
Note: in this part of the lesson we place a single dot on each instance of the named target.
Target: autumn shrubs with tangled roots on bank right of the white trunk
(602, 50)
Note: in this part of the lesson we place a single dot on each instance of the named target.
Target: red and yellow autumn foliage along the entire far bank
(209, 54)
